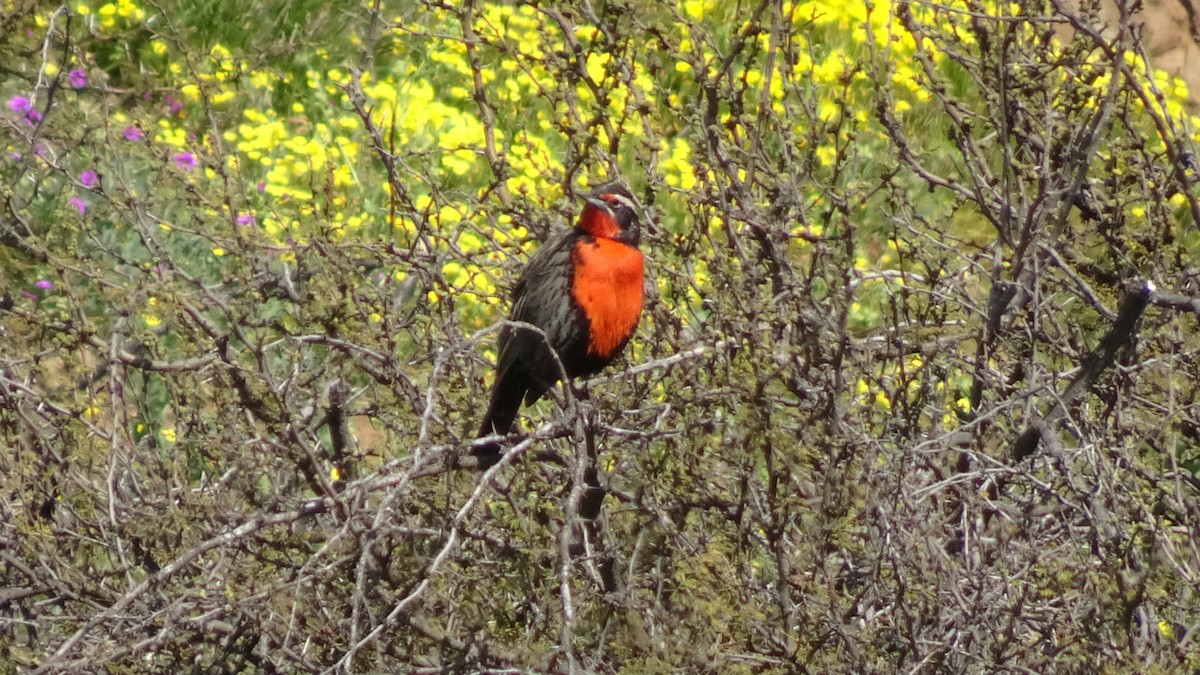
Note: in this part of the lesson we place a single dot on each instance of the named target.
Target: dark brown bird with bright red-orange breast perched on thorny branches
(584, 290)
